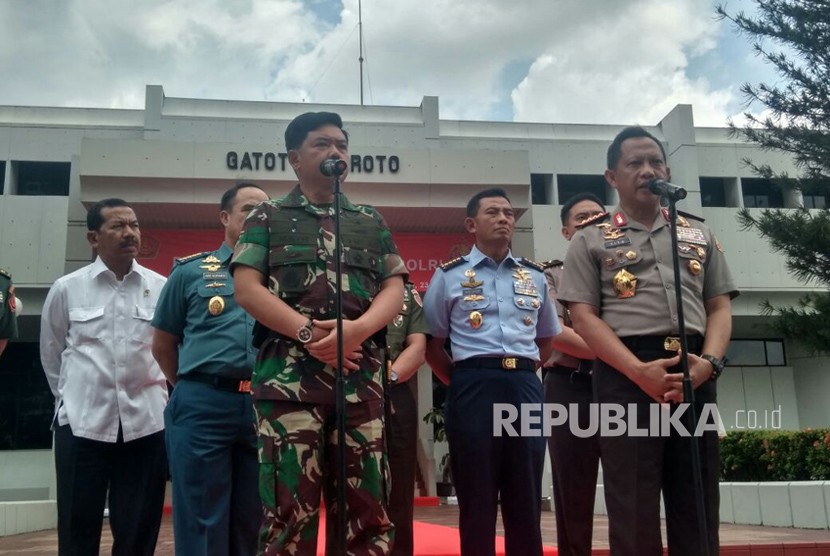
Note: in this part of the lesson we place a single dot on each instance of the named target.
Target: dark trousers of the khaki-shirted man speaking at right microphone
(637, 468)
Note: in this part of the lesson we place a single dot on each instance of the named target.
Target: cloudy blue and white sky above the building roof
(555, 61)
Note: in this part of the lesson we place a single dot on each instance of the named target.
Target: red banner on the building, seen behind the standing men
(421, 252)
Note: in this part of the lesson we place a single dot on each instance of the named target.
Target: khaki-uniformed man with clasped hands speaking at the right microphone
(618, 285)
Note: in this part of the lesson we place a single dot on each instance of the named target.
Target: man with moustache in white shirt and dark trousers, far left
(109, 391)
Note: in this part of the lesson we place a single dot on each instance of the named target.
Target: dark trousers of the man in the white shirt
(135, 473)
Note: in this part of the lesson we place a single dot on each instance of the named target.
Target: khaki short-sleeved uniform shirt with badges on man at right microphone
(625, 270)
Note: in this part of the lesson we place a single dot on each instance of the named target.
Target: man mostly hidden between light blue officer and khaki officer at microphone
(567, 380)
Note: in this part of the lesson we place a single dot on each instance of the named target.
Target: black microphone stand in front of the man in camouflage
(340, 383)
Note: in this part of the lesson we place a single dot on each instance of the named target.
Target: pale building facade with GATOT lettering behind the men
(173, 159)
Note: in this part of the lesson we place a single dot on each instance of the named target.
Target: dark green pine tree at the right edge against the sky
(794, 36)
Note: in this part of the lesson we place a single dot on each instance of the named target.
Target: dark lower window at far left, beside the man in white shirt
(26, 403)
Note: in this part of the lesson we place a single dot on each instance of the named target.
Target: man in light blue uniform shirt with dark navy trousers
(496, 312)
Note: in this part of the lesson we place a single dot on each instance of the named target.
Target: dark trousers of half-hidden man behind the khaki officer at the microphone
(575, 462)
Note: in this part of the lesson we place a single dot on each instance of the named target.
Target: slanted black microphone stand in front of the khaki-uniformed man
(688, 389)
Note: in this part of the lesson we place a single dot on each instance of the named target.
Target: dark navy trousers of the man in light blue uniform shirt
(489, 470)
